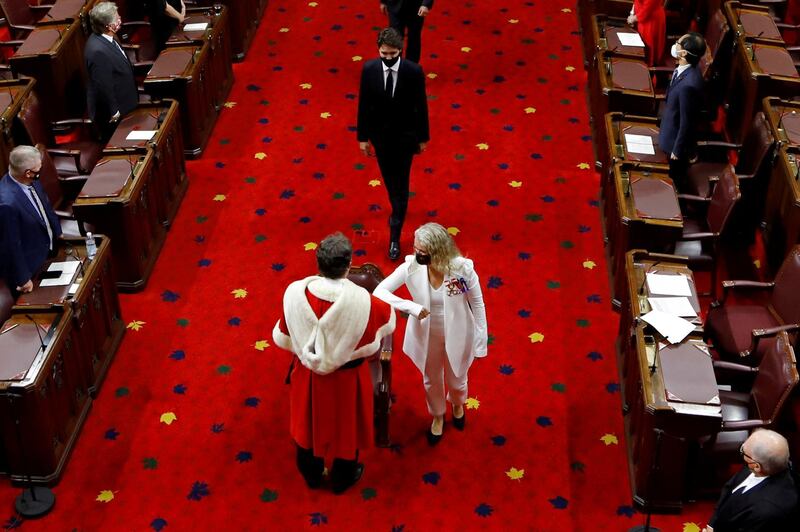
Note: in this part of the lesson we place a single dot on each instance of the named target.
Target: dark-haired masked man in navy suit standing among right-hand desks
(677, 136)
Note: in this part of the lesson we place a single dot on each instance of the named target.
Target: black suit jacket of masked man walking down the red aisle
(401, 120)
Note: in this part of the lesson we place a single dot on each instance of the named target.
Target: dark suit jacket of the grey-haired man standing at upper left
(112, 86)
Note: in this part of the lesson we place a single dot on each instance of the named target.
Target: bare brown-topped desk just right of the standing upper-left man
(183, 74)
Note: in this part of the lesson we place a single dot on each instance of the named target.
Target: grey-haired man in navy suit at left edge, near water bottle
(28, 224)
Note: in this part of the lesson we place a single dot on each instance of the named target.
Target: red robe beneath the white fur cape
(332, 414)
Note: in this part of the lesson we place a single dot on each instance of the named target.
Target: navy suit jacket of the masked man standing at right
(679, 120)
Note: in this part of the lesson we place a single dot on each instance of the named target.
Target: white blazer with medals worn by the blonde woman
(464, 312)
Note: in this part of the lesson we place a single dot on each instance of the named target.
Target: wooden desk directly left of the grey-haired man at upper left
(53, 55)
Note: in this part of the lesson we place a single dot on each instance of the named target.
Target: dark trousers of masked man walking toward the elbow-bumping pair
(394, 161)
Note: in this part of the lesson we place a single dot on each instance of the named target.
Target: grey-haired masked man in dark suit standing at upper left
(112, 87)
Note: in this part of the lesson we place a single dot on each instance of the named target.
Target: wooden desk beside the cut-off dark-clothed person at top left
(218, 36)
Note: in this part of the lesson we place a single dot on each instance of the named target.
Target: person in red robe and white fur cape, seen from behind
(331, 325)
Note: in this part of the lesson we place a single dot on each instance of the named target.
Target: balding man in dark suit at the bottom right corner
(763, 495)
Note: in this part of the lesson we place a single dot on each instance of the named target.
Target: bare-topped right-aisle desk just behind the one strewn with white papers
(641, 212)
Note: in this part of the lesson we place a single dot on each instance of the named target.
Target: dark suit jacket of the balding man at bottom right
(771, 506)
